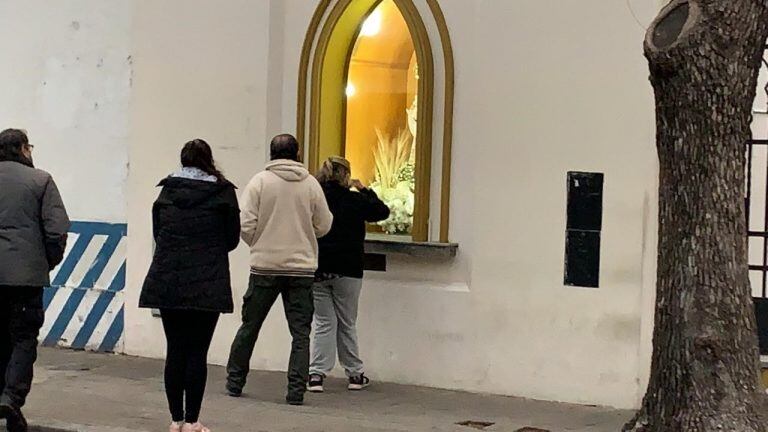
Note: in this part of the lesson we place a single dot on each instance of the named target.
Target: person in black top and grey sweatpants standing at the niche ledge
(339, 276)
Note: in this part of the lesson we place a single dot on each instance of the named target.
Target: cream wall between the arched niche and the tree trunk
(541, 89)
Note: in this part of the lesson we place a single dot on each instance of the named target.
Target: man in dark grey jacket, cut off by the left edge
(33, 232)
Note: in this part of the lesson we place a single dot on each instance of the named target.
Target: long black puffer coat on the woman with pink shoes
(196, 224)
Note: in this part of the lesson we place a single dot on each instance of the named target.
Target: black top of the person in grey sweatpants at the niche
(342, 249)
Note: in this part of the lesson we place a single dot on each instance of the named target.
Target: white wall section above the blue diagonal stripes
(66, 79)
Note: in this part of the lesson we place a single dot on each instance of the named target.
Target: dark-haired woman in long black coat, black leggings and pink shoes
(196, 223)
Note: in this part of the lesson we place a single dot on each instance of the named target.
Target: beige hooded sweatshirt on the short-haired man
(283, 212)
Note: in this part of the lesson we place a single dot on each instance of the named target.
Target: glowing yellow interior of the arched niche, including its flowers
(381, 129)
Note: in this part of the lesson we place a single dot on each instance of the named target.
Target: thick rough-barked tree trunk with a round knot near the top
(704, 58)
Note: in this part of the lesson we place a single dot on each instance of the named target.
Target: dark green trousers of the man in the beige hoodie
(299, 308)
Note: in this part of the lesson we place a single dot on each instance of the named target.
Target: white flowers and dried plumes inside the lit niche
(394, 182)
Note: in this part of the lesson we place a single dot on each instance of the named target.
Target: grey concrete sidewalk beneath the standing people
(77, 391)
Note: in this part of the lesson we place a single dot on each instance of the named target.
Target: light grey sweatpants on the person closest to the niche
(335, 326)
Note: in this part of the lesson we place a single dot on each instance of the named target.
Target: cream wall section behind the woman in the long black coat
(200, 71)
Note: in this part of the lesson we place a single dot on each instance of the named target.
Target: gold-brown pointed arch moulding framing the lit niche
(422, 44)
